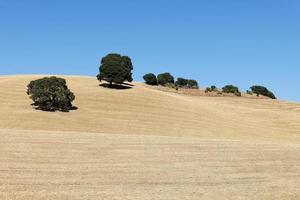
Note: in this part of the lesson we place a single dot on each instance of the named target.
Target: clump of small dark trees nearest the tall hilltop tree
(167, 79)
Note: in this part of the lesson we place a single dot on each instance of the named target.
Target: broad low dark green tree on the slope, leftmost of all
(51, 94)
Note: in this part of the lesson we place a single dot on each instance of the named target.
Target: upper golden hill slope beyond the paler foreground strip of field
(141, 110)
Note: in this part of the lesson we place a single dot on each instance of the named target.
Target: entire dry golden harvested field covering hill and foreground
(142, 143)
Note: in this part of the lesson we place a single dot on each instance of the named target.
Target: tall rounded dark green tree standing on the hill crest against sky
(115, 68)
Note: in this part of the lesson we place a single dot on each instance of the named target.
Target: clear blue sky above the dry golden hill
(214, 41)
